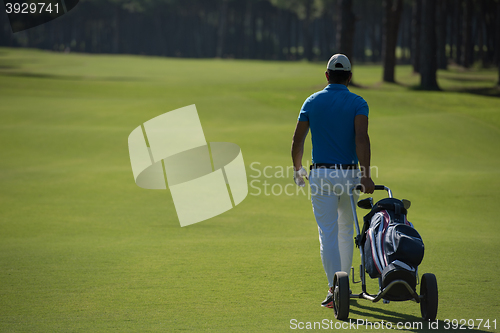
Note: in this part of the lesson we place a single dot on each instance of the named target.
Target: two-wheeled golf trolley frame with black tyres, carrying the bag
(399, 283)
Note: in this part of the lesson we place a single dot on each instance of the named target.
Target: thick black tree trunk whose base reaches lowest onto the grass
(428, 61)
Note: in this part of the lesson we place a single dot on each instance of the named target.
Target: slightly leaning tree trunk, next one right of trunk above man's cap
(393, 11)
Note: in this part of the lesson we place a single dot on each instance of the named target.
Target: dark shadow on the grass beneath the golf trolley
(401, 321)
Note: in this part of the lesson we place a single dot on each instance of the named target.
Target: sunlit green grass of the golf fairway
(83, 249)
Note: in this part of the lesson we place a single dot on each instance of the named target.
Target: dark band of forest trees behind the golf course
(429, 34)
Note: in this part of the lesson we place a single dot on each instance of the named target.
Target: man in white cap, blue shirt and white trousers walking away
(338, 120)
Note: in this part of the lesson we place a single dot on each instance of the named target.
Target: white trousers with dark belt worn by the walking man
(332, 210)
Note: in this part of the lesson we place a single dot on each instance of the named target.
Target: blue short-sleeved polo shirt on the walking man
(331, 113)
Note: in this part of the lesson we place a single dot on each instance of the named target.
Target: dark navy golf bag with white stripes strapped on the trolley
(393, 249)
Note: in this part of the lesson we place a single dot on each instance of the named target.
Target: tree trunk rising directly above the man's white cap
(345, 28)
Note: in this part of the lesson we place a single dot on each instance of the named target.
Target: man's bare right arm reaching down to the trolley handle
(363, 152)
